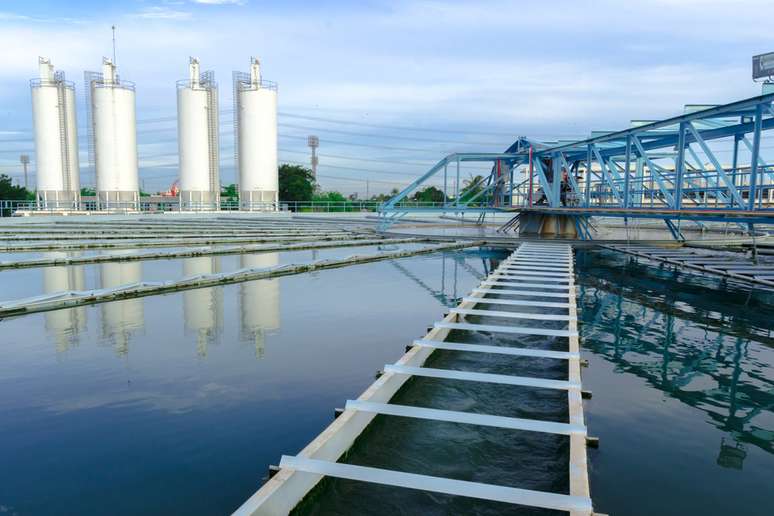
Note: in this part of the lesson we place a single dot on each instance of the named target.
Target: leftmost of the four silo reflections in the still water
(65, 324)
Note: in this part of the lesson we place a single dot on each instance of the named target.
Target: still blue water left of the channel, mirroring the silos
(178, 403)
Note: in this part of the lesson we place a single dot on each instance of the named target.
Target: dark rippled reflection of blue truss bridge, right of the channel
(635, 317)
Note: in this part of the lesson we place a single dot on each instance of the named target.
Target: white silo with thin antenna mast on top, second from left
(113, 131)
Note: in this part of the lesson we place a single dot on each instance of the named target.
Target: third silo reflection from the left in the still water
(203, 307)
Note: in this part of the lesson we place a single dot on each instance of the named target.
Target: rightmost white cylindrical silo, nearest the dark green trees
(256, 135)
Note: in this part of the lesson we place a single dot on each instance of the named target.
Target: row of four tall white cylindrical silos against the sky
(113, 139)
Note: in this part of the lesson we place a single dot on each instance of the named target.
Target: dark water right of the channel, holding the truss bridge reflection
(682, 372)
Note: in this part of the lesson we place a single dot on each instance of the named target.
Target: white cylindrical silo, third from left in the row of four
(197, 119)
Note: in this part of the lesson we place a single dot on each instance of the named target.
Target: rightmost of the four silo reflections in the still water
(259, 301)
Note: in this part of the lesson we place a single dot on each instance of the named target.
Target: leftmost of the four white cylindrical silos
(56, 139)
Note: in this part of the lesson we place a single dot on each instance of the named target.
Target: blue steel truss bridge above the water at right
(668, 169)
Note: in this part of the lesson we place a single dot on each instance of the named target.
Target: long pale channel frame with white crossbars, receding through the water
(299, 474)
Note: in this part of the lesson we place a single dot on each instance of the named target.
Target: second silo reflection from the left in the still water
(121, 318)
